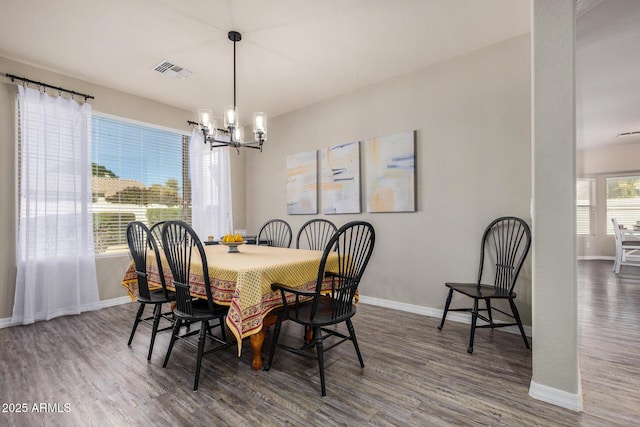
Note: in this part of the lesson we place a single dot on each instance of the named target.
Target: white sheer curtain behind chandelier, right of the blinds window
(210, 188)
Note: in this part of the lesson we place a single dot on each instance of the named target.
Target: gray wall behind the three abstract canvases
(472, 117)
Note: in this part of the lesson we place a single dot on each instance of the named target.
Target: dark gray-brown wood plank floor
(82, 370)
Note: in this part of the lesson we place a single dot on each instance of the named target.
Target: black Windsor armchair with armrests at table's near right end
(353, 243)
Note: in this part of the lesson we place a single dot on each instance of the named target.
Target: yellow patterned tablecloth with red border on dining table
(243, 280)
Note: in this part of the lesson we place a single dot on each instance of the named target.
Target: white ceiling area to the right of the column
(608, 73)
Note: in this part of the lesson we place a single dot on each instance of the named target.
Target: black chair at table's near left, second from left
(180, 244)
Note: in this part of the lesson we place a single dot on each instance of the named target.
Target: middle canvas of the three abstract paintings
(340, 179)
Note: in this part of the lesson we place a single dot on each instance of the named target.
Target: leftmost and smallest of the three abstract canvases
(302, 183)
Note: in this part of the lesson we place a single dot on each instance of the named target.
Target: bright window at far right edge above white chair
(623, 201)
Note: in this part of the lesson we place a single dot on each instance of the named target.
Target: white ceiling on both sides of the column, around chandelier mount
(296, 53)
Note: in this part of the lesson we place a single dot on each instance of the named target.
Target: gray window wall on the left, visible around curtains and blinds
(110, 269)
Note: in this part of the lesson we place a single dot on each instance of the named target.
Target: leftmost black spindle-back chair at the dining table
(141, 242)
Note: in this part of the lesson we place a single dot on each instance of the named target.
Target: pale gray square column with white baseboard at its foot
(556, 371)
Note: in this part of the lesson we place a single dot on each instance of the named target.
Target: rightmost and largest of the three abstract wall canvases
(390, 173)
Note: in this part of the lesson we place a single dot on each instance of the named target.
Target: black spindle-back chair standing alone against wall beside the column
(505, 245)
